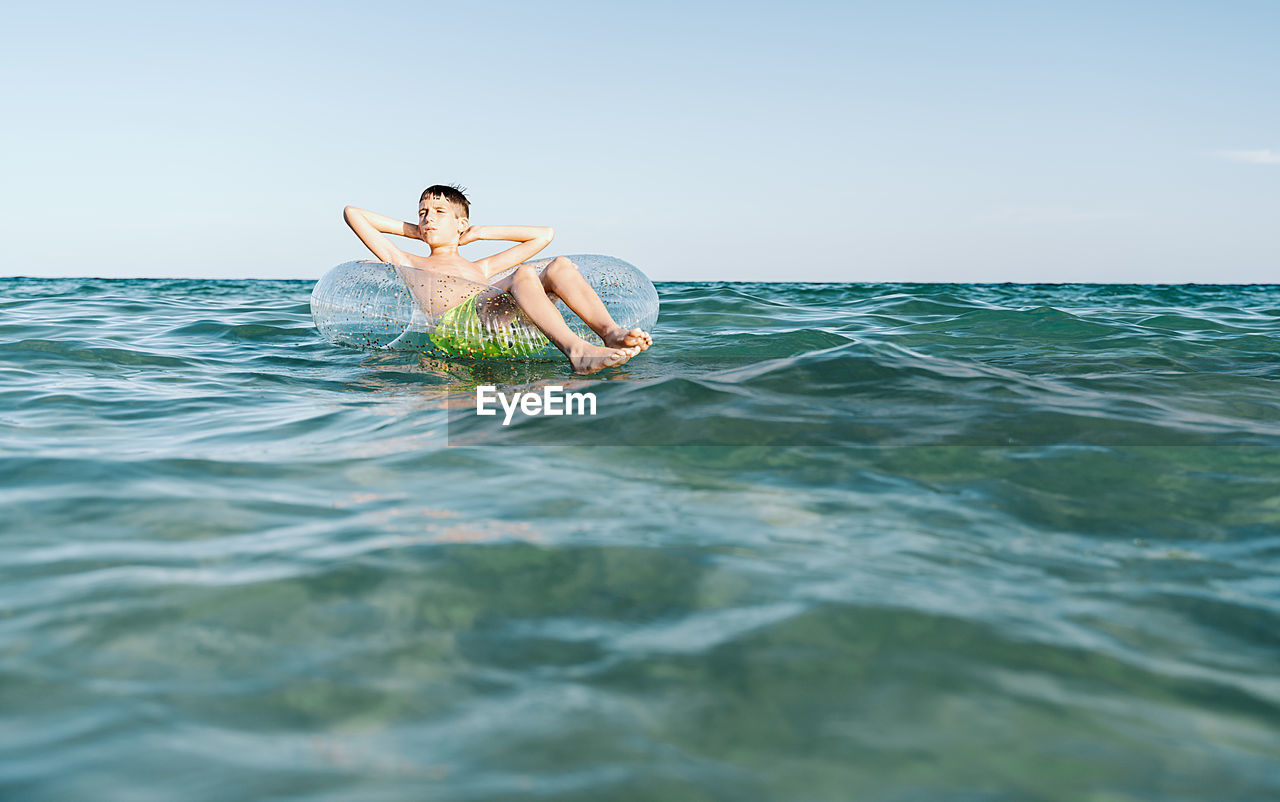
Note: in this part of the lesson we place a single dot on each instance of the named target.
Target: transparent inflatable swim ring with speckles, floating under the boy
(381, 306)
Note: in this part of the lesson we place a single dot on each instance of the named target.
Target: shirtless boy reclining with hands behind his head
(445, 226)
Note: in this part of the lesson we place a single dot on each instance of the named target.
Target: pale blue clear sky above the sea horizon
(912, 141)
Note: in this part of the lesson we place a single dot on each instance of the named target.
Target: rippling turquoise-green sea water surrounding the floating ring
(930, 543)
